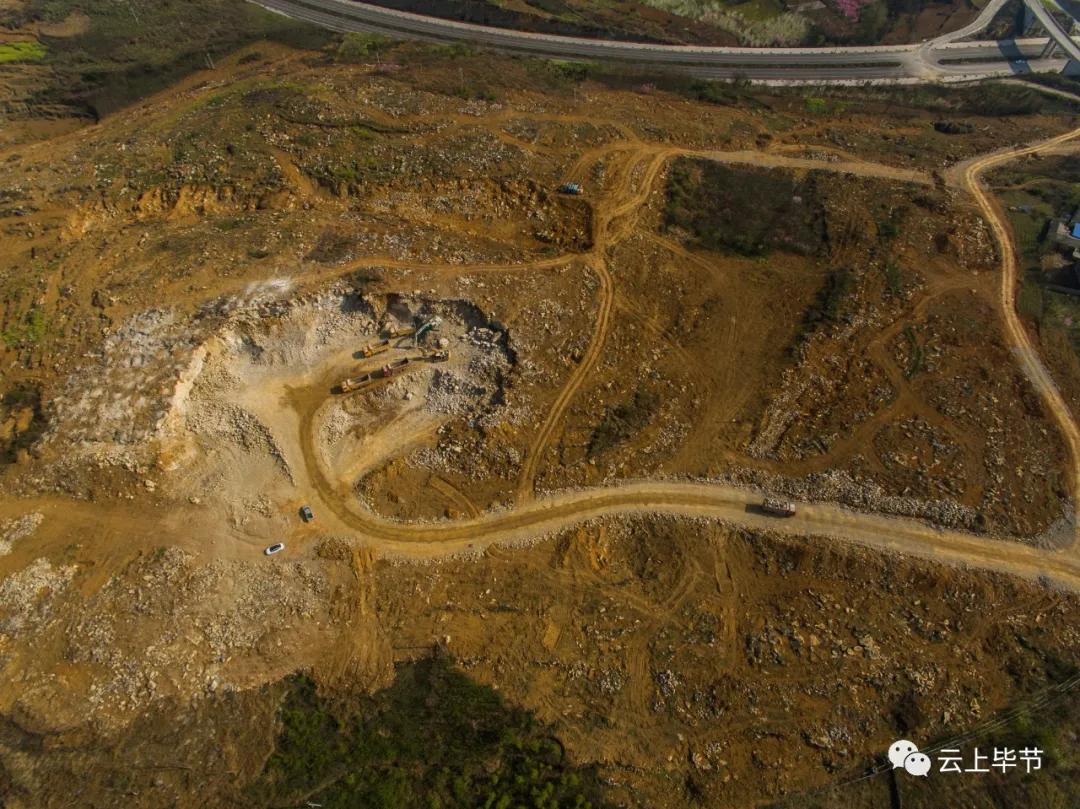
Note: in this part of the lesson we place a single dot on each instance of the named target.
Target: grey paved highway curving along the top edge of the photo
(892, 63)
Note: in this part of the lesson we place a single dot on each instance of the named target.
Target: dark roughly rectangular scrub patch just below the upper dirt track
(746, 211)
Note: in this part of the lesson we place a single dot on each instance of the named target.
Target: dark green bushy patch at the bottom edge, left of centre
(434, 740)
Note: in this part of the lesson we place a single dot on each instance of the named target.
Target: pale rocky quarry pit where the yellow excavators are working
(264, 420)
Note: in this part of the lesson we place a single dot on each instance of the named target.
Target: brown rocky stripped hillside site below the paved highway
(705, 430)
